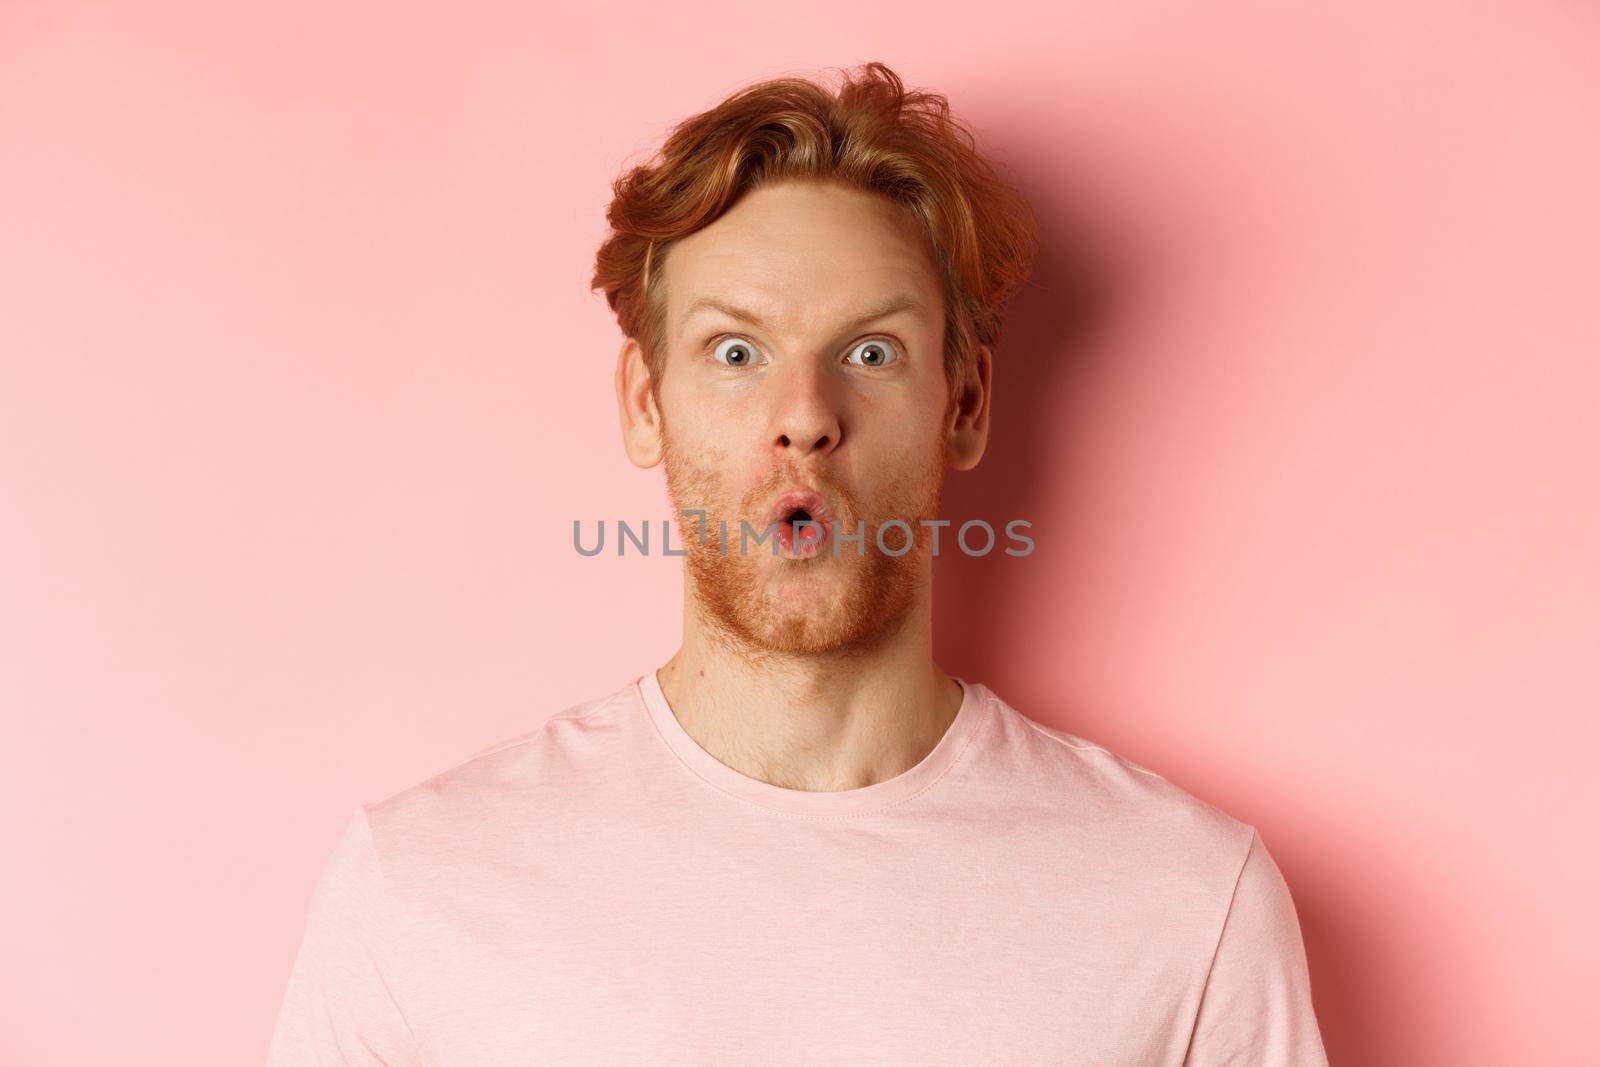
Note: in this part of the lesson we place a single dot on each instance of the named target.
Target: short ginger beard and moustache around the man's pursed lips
(841, 601)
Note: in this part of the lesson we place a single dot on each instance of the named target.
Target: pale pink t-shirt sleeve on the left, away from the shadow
(342, 1007)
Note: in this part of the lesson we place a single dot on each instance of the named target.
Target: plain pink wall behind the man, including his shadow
(303, 390)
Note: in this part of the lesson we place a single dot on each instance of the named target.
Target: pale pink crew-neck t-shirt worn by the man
(606, 892)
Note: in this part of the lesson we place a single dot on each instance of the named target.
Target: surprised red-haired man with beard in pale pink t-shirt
(801, 841)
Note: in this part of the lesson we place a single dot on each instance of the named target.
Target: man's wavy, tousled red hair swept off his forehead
(871, 134)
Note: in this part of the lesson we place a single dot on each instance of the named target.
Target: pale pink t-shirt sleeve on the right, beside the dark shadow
(1257, 1005)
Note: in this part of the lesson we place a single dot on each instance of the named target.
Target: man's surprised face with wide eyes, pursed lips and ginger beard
(814, 388)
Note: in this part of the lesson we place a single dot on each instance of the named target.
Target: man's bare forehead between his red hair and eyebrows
(804, 250)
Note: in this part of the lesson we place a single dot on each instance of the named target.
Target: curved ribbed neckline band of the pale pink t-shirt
(839, 802)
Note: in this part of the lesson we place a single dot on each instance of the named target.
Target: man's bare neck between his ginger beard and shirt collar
(814, 722)
